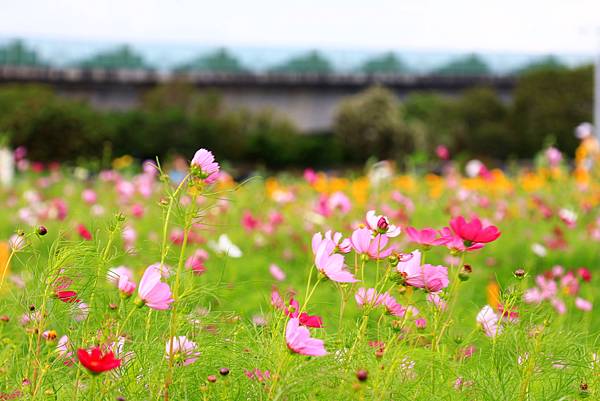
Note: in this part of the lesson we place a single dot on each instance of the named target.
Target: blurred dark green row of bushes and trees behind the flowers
(547, 103)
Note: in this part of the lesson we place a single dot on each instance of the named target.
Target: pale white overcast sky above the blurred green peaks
(529, 26)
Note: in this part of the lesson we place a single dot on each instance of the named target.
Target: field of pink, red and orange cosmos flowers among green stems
(144, 283)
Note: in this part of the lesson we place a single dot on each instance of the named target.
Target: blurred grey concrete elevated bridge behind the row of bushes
(310, 100)
